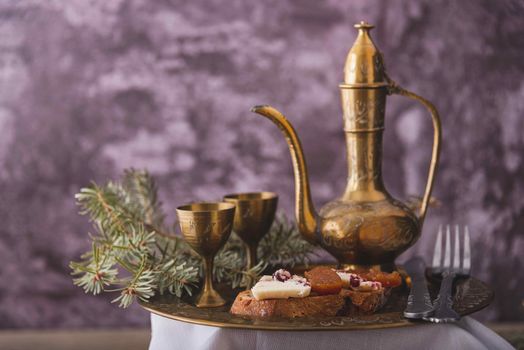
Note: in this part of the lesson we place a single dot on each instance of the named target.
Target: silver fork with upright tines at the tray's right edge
(461, 268)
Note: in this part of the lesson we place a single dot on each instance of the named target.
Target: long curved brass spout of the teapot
(305, 213)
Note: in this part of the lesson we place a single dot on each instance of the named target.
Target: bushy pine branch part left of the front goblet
(125, 216)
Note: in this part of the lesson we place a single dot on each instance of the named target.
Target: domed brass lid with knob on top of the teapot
(364, 65)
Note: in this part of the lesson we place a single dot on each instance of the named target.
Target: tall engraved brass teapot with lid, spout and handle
(366, 226)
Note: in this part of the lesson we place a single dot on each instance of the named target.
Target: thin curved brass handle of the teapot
(394, 88)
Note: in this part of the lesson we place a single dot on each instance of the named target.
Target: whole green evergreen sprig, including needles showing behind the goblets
(135, 255)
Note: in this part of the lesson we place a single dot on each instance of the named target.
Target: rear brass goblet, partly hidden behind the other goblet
(253, 219)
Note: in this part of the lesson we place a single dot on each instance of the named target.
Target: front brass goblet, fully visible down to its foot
(206, 227)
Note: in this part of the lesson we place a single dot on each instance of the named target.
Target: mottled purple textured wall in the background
(88, 88)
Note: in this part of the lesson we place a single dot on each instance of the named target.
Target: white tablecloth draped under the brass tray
(467, 334)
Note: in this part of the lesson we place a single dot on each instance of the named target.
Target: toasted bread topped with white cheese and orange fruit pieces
(322, 292)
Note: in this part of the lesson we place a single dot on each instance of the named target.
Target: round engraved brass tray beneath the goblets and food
(471, 295)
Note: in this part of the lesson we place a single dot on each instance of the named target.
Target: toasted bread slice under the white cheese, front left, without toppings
(322, 305)
